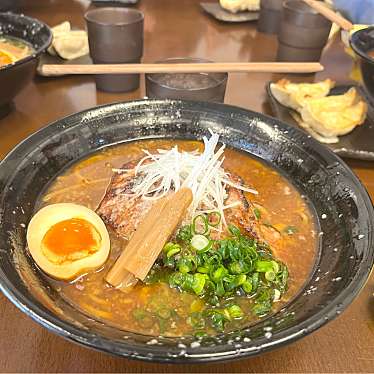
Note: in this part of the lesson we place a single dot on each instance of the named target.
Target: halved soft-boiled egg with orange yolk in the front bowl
(67, 240)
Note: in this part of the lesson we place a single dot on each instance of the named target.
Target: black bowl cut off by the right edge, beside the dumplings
(362, 42)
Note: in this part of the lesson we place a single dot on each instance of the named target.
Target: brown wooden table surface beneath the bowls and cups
(176, 28)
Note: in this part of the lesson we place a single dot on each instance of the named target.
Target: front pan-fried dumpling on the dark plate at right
(335, 115)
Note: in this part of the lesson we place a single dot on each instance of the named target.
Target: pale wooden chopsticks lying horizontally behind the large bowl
(232, 67)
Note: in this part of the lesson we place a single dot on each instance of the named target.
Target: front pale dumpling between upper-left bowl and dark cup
(71, 45)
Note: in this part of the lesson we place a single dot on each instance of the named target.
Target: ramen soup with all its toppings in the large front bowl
(243, 247)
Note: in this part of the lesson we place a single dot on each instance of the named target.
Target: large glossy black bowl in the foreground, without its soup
(341, 204)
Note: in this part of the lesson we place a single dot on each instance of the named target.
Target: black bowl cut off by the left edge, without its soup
(14, 77)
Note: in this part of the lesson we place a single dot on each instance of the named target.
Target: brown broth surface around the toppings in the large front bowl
(157, 309)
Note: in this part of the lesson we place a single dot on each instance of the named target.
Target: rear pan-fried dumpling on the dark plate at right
(294, 95)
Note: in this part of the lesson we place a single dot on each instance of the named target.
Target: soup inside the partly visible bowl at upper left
(13, 49)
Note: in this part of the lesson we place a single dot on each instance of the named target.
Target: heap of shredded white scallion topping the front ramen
(170, 170)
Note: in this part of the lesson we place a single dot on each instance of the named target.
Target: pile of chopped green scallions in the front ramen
(235, 265)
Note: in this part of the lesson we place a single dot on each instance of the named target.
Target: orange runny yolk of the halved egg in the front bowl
(70, 239)
